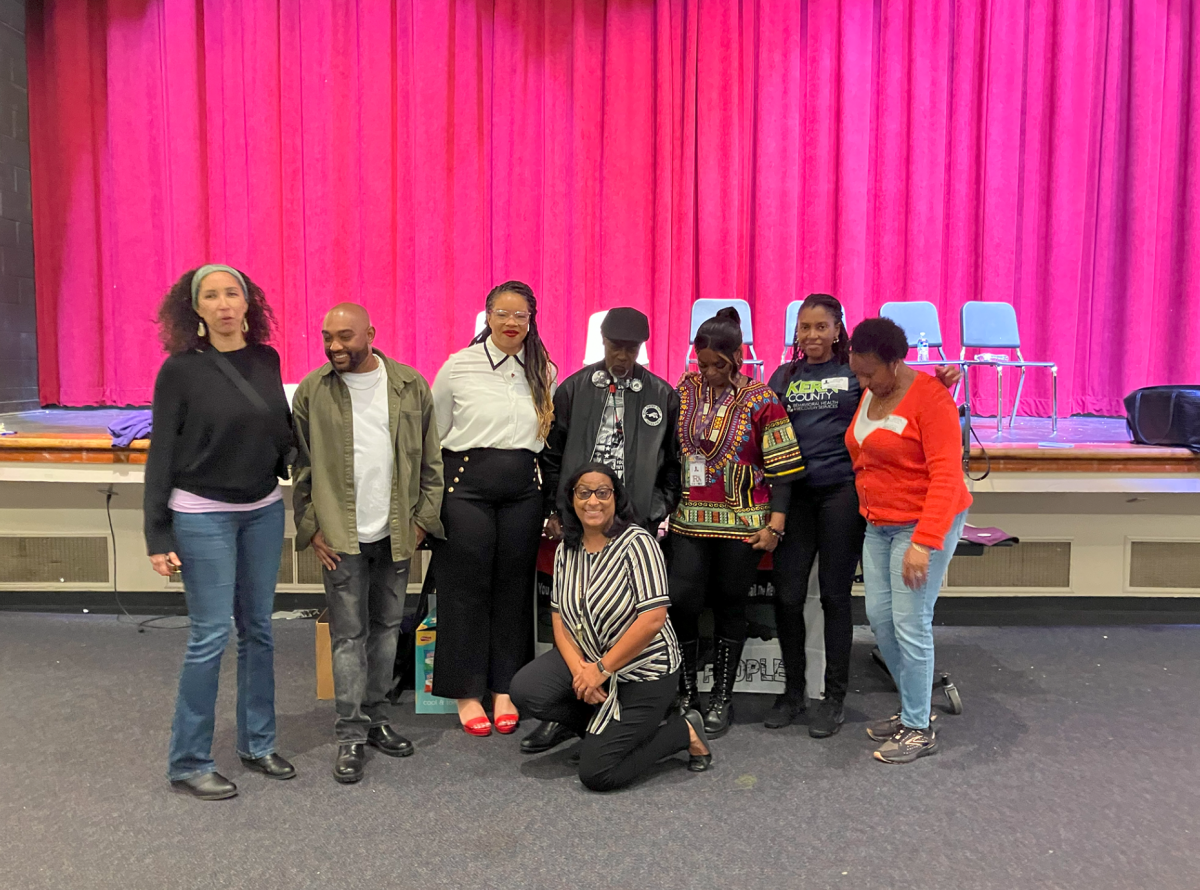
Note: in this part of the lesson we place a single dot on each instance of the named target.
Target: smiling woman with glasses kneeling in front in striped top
(615, 670)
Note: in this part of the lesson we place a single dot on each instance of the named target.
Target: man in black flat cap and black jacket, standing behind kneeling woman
(619, 413)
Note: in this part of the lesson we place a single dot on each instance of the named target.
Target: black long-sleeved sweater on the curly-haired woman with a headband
(209, 440)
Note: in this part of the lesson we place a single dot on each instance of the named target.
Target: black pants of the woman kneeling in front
(628, 747)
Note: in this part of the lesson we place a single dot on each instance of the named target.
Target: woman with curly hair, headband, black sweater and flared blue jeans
(214, 512)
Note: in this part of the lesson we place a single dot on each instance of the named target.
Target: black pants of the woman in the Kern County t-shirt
(821, 520)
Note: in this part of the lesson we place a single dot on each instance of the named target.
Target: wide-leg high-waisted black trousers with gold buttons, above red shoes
(484, 572)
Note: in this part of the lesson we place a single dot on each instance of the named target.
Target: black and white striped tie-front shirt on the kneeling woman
(599, 597)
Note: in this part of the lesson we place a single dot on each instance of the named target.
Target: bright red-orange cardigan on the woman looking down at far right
(915, 474)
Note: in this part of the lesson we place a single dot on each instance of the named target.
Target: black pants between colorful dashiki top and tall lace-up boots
(718, 570)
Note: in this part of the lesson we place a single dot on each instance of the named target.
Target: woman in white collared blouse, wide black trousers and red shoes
(494, 404)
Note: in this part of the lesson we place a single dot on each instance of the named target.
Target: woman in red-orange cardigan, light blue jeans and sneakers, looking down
(905, 444)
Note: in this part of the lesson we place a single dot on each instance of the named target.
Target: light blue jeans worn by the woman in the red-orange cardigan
(903, 620)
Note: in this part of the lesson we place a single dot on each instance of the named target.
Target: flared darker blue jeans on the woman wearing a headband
(231, 562)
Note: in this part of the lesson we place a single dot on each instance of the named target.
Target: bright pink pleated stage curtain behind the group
(409, 155)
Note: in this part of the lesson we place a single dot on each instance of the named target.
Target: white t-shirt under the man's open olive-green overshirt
(373, 453)
